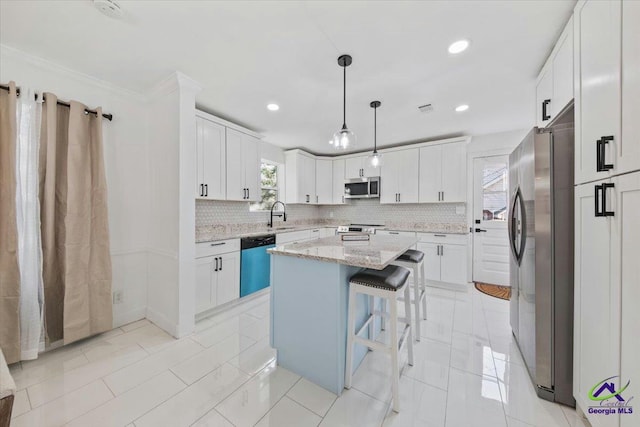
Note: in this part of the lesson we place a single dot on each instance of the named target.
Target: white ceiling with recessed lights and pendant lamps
(248, 54)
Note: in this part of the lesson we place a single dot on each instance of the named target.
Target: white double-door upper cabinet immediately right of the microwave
(399, 177)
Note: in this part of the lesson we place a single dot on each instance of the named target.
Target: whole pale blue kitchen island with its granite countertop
(309, 300)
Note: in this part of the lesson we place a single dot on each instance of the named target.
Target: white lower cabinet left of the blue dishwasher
(217, 273)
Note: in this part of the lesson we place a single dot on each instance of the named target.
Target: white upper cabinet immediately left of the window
(243, 166)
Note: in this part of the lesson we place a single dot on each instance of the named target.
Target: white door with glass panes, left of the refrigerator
(490, 210)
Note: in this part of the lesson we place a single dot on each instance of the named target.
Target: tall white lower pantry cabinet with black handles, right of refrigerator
(607, 291)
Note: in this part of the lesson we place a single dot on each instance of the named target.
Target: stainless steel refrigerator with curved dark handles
(541, 240)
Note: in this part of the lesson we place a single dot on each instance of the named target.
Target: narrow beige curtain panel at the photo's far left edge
(9, 272)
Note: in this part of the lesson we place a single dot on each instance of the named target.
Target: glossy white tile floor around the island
(467, 372)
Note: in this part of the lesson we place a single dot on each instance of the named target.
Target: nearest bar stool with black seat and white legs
(388, 284)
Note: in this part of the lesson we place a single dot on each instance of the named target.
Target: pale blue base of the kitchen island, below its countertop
(309, 301)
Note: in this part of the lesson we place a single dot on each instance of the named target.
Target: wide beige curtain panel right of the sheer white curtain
(75, 232)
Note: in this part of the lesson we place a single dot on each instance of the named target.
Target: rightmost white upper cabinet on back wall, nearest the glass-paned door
(443, 173)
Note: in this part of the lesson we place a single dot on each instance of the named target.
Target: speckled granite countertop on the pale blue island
(376, 253)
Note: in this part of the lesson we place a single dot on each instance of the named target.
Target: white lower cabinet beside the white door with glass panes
(445, 257)
